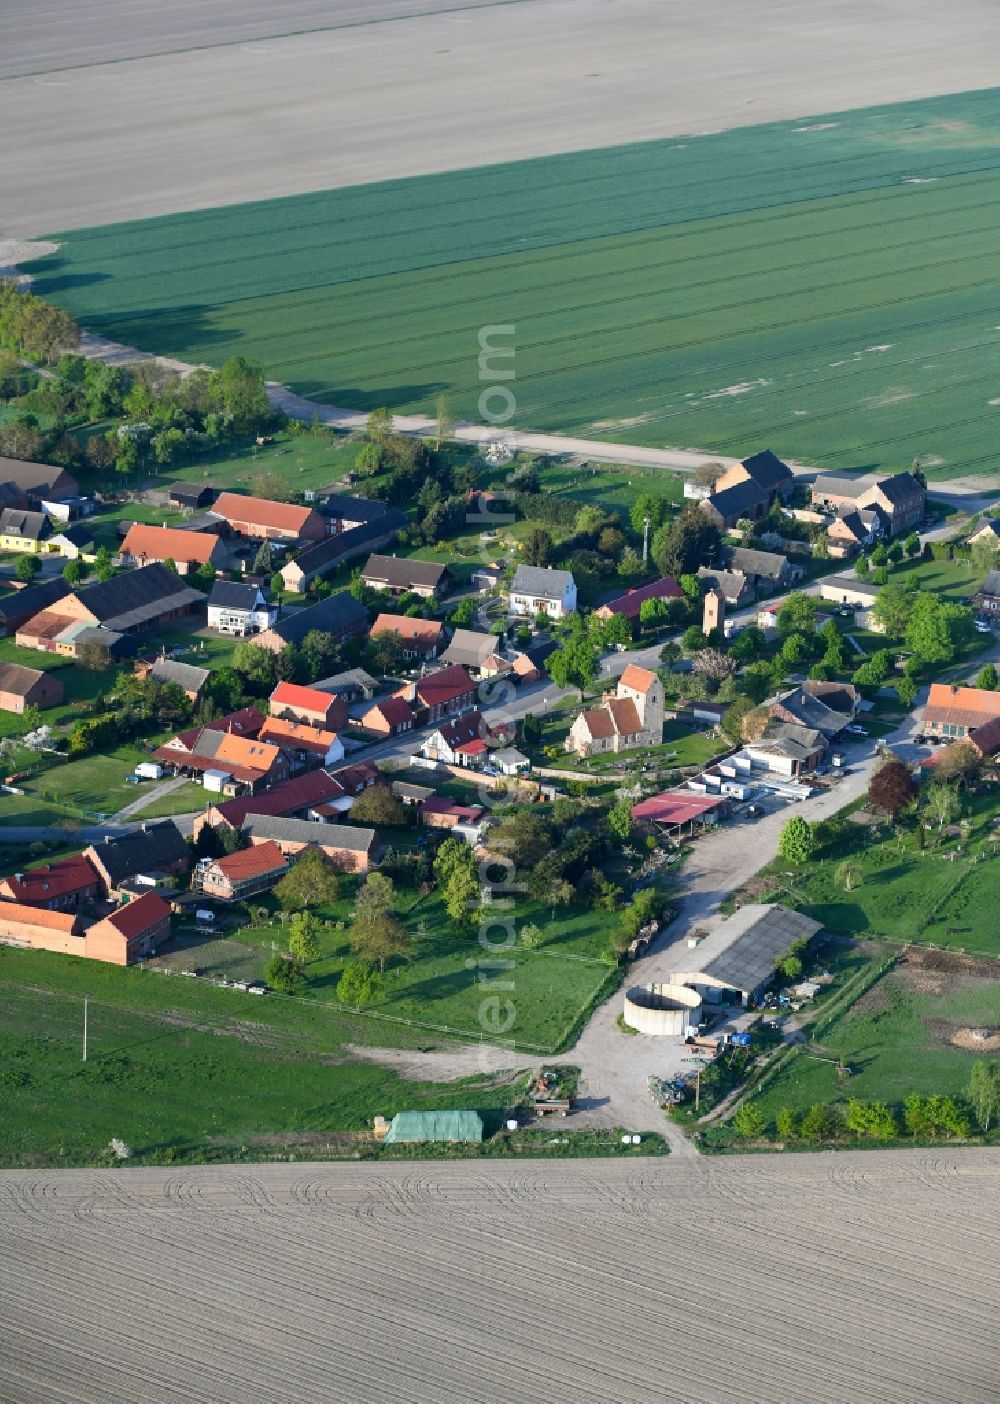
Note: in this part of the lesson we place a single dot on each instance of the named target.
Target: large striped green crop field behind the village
(829, 287)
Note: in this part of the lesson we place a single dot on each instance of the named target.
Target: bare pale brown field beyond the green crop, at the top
(241, 113)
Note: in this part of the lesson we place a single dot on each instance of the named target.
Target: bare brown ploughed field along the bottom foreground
(807, 1280)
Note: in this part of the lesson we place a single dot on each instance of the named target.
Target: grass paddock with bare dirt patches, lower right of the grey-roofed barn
(895, 1041)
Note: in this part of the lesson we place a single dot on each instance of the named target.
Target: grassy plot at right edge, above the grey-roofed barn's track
(937, 896)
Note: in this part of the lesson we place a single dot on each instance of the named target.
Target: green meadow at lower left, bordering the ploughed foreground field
(183, 1071)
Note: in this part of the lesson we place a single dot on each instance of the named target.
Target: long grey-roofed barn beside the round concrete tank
(742, 951)
